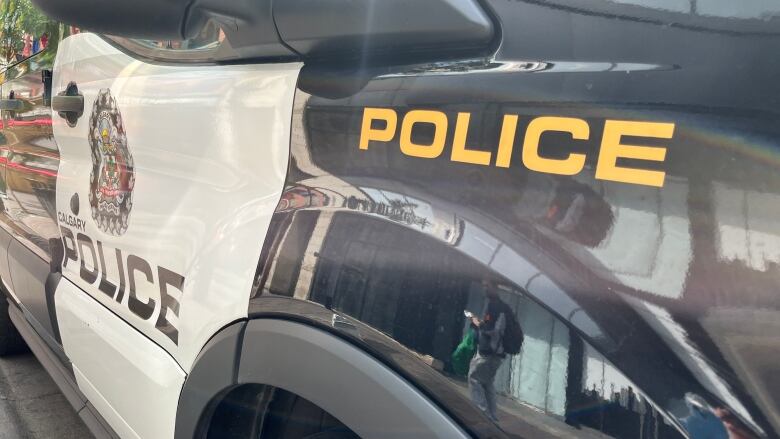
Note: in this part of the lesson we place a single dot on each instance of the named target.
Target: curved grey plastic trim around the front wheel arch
(319, 366)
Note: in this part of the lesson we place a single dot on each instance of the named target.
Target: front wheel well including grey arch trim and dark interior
(308, 371)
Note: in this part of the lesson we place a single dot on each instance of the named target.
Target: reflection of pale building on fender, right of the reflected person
(561, 375)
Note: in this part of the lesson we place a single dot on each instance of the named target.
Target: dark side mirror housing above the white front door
(322, 31)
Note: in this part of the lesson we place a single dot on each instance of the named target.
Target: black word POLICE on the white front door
(136, 267)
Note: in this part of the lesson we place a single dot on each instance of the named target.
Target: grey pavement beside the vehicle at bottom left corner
(31, 405)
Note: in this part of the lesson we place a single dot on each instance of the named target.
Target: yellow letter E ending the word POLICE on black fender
(612, 149)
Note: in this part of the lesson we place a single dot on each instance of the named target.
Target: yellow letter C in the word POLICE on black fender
(571, 165)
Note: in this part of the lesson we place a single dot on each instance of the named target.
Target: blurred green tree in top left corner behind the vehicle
(18, 17)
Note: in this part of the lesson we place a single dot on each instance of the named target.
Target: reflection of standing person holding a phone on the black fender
(490, 350)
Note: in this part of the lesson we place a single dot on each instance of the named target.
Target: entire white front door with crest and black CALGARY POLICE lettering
(168, 177)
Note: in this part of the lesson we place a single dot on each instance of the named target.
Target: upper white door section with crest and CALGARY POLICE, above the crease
(209, 148)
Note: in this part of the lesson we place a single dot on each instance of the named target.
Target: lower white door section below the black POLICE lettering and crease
(131, 381)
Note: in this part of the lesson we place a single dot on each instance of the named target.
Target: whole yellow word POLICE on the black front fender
(611, 149)
